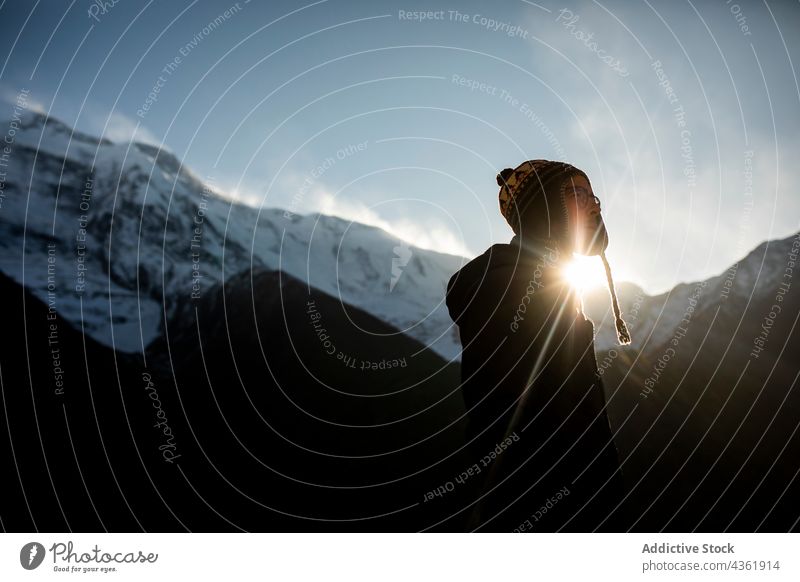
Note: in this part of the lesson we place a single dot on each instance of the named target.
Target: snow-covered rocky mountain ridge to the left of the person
(124, 234)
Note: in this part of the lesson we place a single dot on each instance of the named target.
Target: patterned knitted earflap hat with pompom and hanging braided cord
(532, 195)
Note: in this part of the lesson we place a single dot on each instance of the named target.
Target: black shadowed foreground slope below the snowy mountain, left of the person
(253, 440)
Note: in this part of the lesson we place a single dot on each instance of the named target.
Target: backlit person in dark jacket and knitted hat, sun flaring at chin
(538, 430)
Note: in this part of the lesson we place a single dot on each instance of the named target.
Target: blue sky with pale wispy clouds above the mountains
(361, 110)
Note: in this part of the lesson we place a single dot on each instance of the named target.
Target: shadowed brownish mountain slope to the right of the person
(715, 445)
